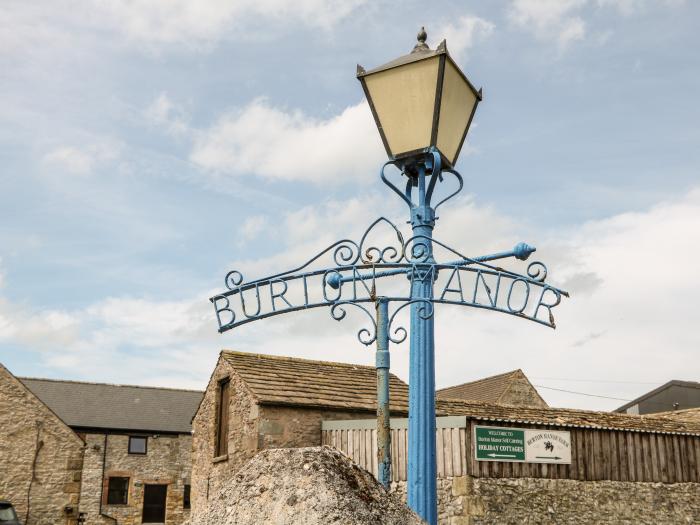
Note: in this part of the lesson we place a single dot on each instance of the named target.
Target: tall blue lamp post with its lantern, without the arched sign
(423, 105)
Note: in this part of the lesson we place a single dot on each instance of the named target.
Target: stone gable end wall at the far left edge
(40, 457)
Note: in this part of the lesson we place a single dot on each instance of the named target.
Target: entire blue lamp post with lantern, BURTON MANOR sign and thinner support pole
(423, 106)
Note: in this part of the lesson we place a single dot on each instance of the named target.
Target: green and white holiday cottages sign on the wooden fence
(522, 445)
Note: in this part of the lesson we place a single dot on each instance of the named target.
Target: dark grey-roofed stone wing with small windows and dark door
(137, 454)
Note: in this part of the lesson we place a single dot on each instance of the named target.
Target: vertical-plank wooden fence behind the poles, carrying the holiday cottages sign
(617, 455)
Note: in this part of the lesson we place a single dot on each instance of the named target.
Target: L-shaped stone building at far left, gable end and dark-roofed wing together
(113, 453)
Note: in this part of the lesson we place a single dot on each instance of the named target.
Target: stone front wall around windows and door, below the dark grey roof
(167, 462)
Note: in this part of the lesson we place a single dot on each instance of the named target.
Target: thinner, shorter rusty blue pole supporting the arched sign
(383, 410)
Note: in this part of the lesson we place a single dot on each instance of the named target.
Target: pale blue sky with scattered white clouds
(149, 147)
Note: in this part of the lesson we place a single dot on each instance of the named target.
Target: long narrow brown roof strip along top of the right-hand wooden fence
(566, 417)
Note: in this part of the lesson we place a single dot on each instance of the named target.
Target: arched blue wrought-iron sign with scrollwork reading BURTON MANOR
(351, 273)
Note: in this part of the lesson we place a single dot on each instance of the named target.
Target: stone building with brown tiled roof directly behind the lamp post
(256, 401)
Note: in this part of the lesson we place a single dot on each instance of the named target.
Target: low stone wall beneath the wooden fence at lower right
(480, 501)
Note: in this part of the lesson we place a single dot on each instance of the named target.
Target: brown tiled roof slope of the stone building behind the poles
(303, 382)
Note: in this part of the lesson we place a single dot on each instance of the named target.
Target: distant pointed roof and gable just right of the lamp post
(511, 388)
